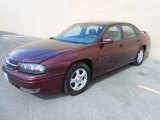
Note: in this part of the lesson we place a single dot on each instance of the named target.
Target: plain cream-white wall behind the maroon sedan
(44, 18)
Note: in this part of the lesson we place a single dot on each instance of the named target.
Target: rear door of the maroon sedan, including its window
(130, 36)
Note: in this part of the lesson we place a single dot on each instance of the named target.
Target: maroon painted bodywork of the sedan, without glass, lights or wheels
(101, 58)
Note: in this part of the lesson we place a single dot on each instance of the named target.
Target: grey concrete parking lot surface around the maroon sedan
(129, 93)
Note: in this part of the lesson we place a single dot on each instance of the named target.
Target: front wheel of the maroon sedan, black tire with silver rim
(76, 79)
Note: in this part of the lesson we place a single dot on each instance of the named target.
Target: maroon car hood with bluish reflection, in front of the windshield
(41, 50)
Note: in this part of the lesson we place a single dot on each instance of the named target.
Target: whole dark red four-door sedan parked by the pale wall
(77, 55)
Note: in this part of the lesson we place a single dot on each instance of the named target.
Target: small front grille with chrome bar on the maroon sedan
(11, 64)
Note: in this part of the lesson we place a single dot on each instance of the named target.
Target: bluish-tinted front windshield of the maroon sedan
(81, 33)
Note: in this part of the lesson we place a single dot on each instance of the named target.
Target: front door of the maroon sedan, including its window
(113, 54)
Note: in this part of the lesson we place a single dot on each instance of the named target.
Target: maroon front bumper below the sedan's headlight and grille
(33, 84)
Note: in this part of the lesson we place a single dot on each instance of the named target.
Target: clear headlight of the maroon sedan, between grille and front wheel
(32, 68)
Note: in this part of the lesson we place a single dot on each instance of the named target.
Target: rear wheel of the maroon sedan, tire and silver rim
(139, 57)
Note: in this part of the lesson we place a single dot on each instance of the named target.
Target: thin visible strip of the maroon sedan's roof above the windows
(106, 23)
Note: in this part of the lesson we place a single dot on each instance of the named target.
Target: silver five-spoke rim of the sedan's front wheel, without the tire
(78, 79)
